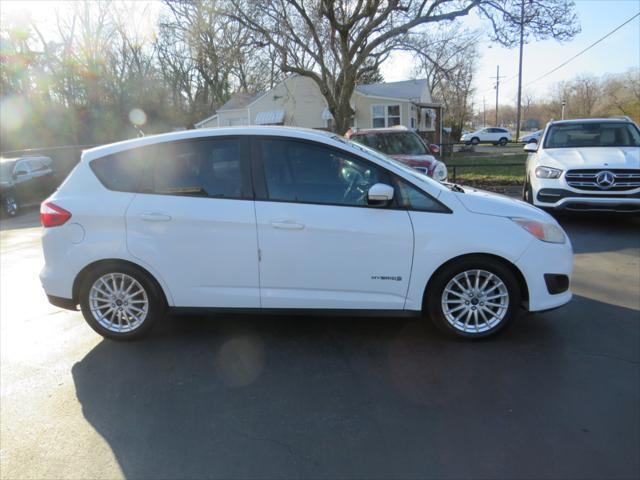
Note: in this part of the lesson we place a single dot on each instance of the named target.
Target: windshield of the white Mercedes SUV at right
(592, 134)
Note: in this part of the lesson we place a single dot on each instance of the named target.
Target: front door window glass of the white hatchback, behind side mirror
(303, 172)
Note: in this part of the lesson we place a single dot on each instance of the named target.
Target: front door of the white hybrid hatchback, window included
(322, 246)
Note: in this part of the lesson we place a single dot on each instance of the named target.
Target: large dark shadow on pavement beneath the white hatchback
(293, 397)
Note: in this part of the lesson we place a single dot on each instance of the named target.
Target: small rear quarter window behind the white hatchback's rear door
(122, 171)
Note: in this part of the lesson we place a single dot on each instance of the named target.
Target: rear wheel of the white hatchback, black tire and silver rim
(120, 302)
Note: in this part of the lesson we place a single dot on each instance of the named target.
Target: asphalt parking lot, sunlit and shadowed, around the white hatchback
(555, 396)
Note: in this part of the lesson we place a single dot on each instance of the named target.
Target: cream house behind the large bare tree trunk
(297, 101)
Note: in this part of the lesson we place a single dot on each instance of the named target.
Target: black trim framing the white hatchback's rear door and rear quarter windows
(144, 188)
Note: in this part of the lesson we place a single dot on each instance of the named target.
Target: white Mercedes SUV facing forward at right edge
(585, 165)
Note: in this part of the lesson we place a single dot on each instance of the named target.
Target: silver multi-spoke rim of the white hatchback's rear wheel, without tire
(118, 302)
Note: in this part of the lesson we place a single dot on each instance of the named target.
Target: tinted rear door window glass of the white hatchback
(208, 168)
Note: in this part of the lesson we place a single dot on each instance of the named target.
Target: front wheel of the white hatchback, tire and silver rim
(474, 297)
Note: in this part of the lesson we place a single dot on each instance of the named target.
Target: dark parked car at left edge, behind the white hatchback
(25, 181)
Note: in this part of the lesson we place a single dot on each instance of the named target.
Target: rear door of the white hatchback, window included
(194, 222)
